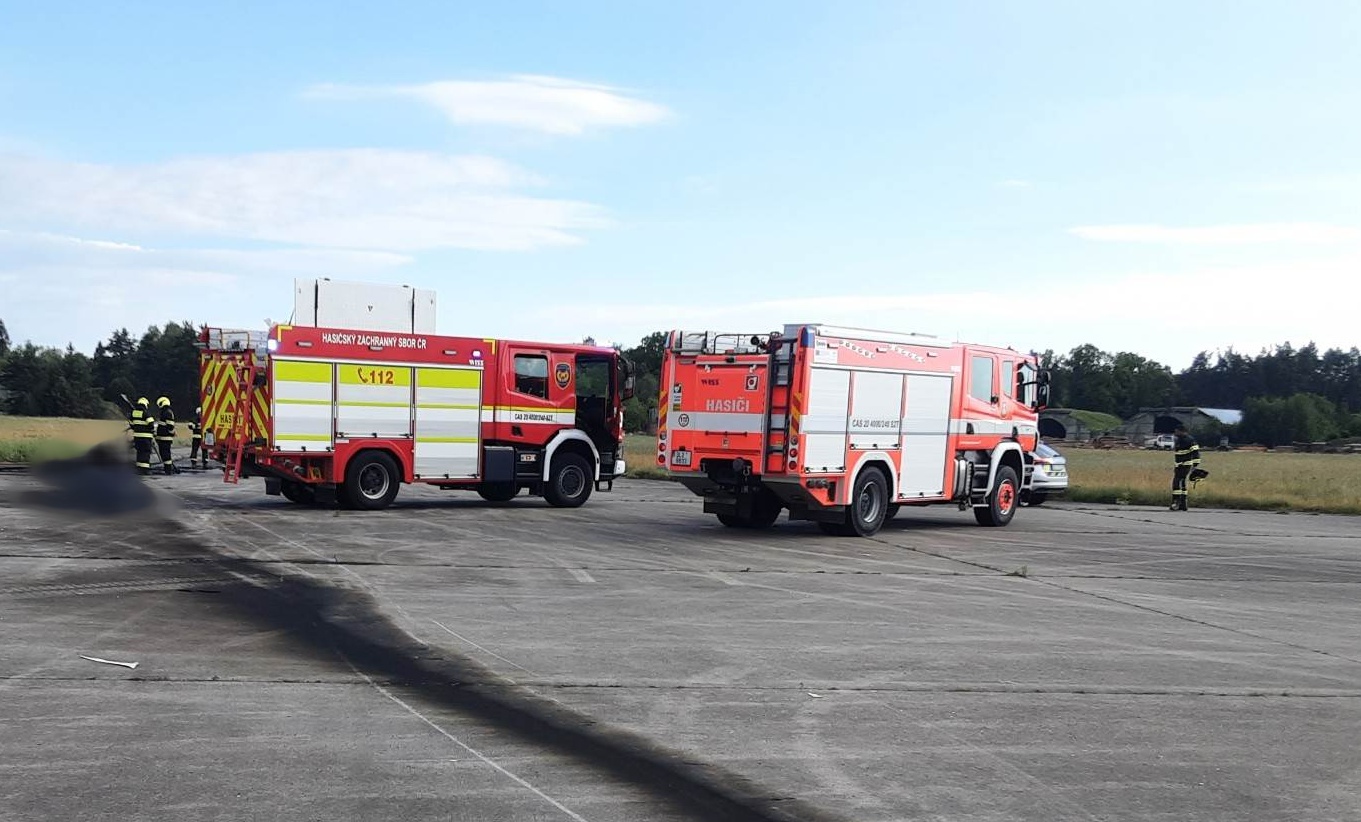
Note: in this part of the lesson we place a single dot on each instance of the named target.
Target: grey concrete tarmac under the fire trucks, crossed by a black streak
(451, 659)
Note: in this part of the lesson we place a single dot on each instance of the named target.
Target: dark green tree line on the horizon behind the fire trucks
(1285, 394)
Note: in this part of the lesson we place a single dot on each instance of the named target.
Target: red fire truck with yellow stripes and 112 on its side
(327, 414)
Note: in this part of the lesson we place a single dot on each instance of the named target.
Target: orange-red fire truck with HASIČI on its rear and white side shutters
(843, 427)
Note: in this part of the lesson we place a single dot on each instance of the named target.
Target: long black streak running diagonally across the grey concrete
(344, 628)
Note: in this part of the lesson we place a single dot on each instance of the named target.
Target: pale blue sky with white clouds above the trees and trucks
(1028, 175)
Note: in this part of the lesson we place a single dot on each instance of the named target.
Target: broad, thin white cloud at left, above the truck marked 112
(361, 199)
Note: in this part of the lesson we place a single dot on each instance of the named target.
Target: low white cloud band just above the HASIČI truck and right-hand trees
(1296, 301)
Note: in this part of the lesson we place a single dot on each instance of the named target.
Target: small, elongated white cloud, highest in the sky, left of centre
(533, 103)
